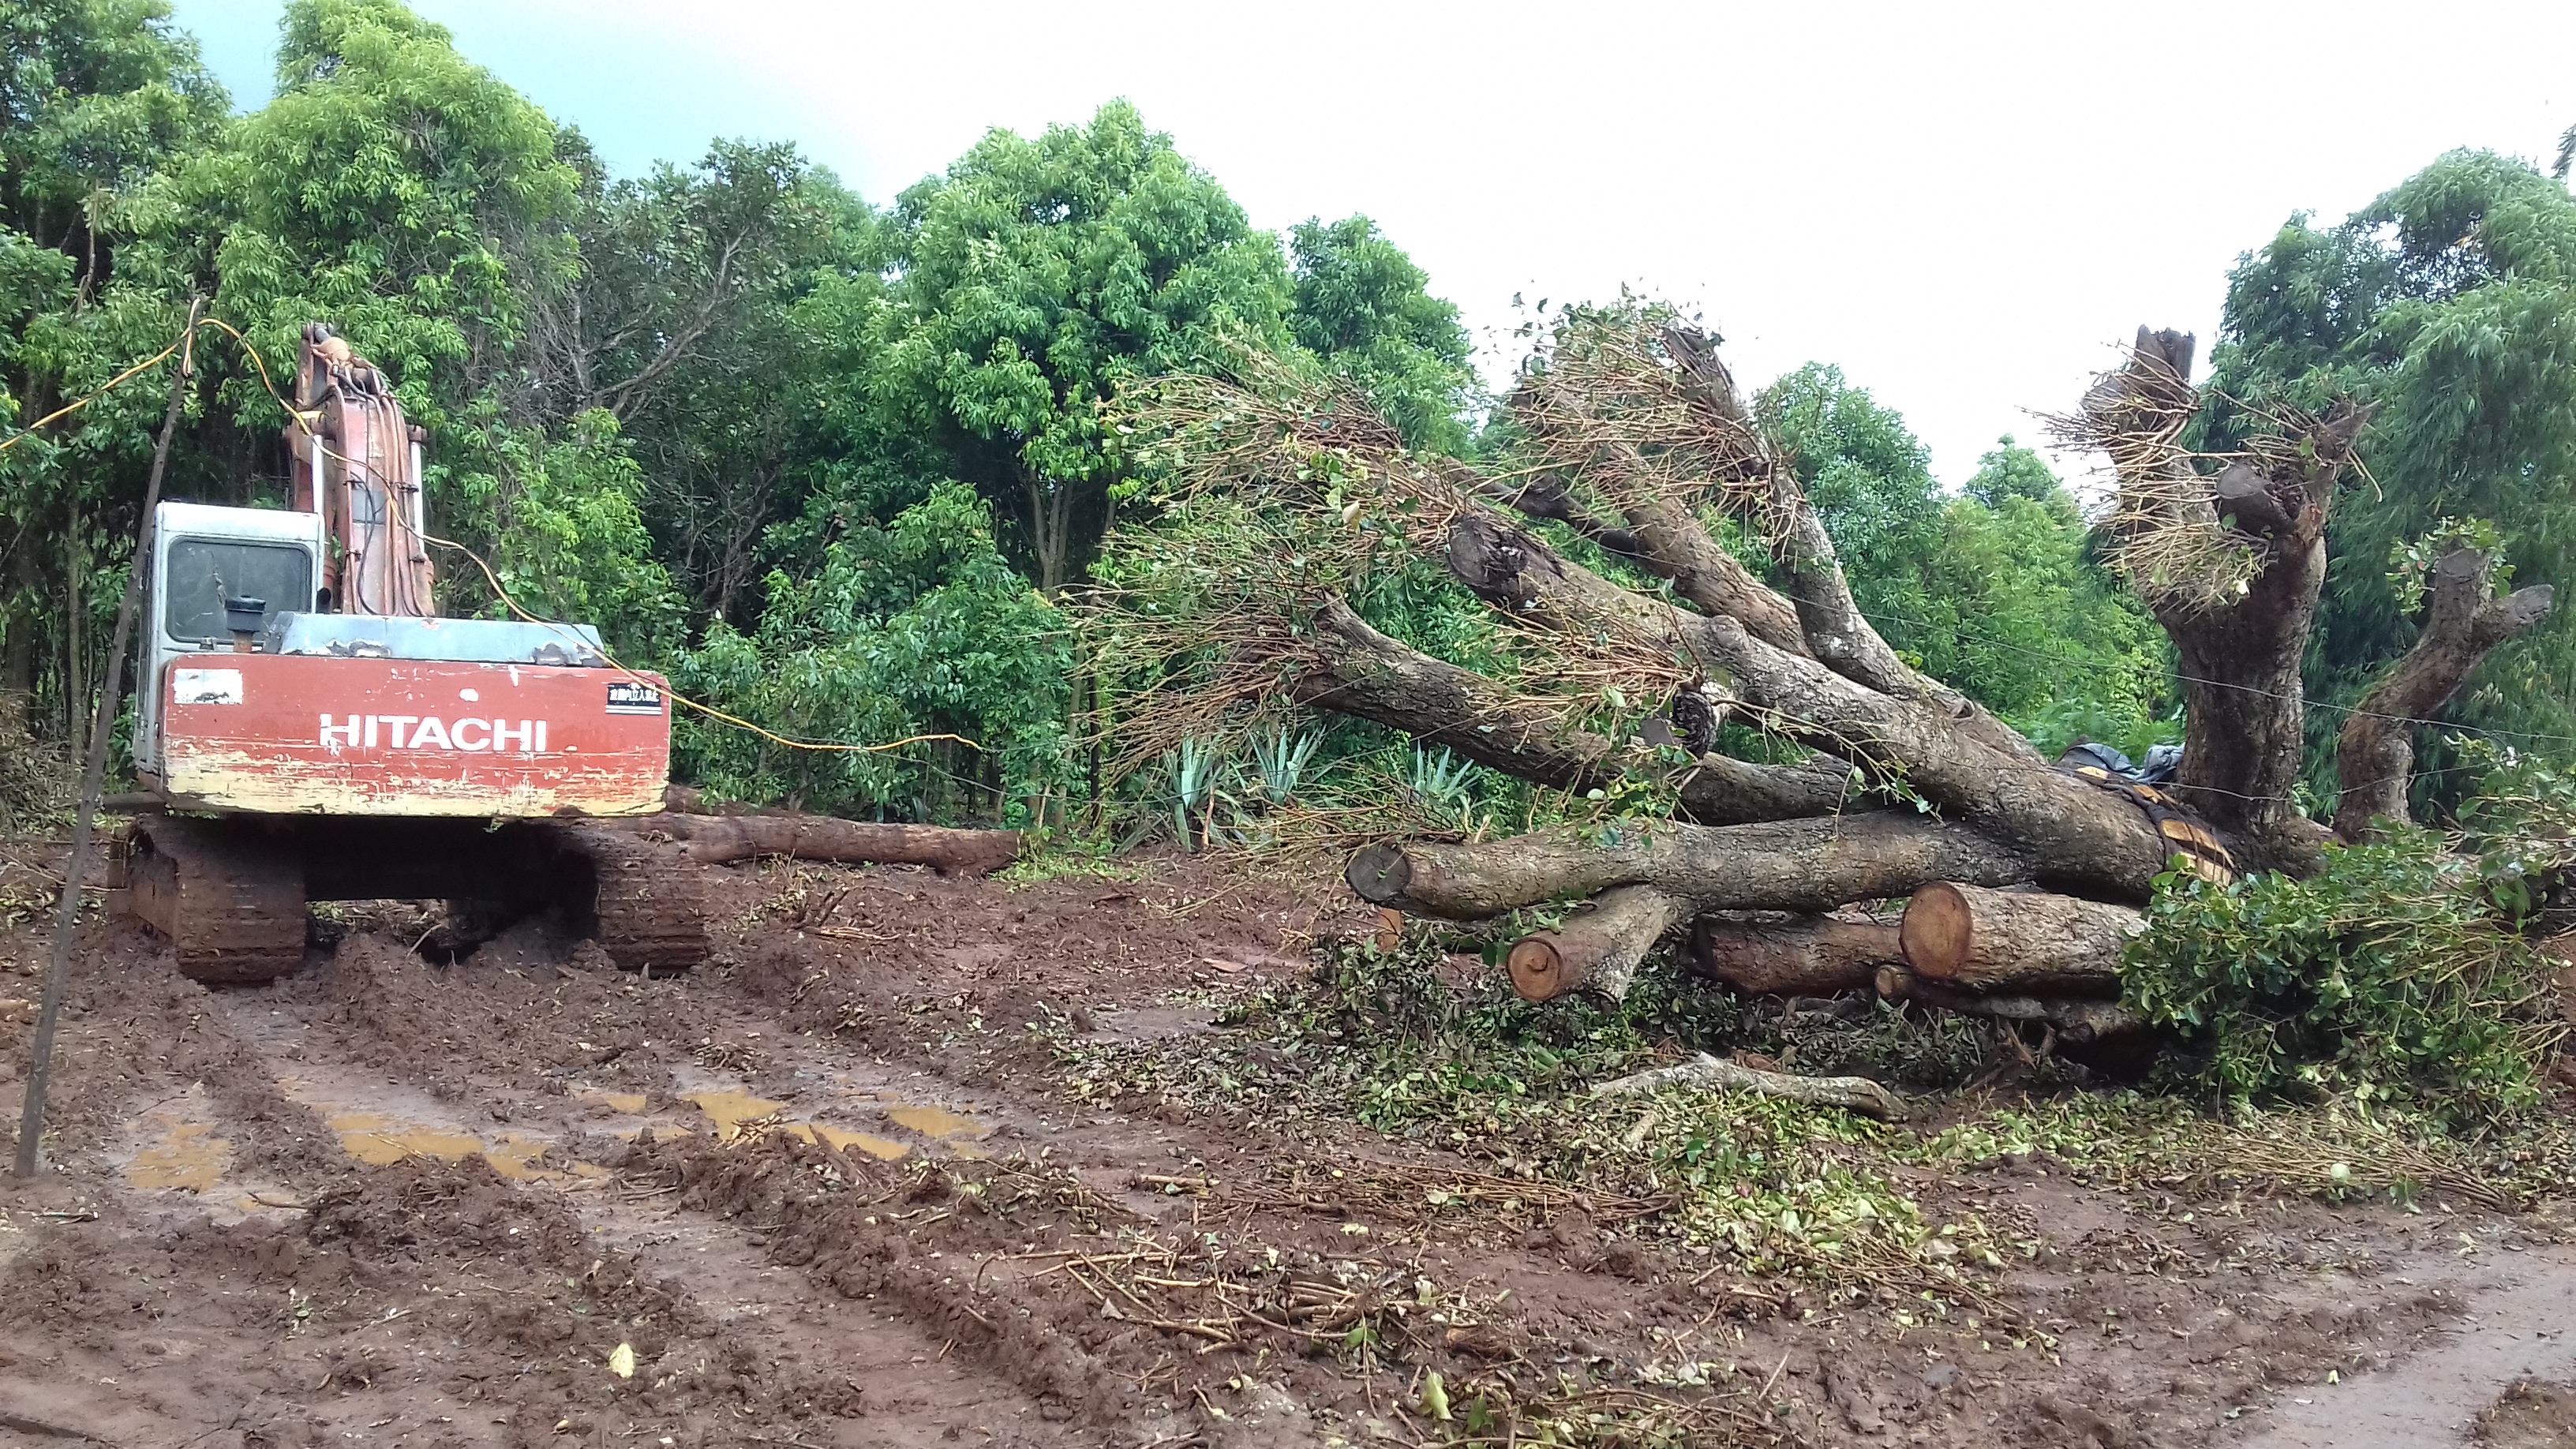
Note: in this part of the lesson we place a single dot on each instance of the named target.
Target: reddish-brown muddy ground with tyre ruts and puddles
(833, 1192)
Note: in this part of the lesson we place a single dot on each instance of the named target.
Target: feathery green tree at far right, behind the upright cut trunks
(2448, 303)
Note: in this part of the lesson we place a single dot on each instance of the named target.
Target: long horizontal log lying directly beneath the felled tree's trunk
(1776, 865)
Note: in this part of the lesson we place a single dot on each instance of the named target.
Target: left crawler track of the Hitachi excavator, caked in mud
(225, 896)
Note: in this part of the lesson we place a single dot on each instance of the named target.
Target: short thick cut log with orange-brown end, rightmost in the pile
(1987, 940)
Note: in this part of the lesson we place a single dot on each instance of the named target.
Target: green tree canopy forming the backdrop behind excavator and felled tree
(769, 432)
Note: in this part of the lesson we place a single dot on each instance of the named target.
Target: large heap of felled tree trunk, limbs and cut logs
(1637, 651)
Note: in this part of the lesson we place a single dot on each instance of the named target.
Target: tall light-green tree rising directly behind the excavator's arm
(406, 197)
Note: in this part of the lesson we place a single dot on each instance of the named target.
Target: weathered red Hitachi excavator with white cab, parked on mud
(310, 728)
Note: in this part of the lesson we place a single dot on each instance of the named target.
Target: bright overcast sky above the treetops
(1962, 208)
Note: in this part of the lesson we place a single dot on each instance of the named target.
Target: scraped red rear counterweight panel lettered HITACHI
(357, 736)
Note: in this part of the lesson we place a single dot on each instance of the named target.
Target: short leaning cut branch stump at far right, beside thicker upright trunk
(2464, 623)
